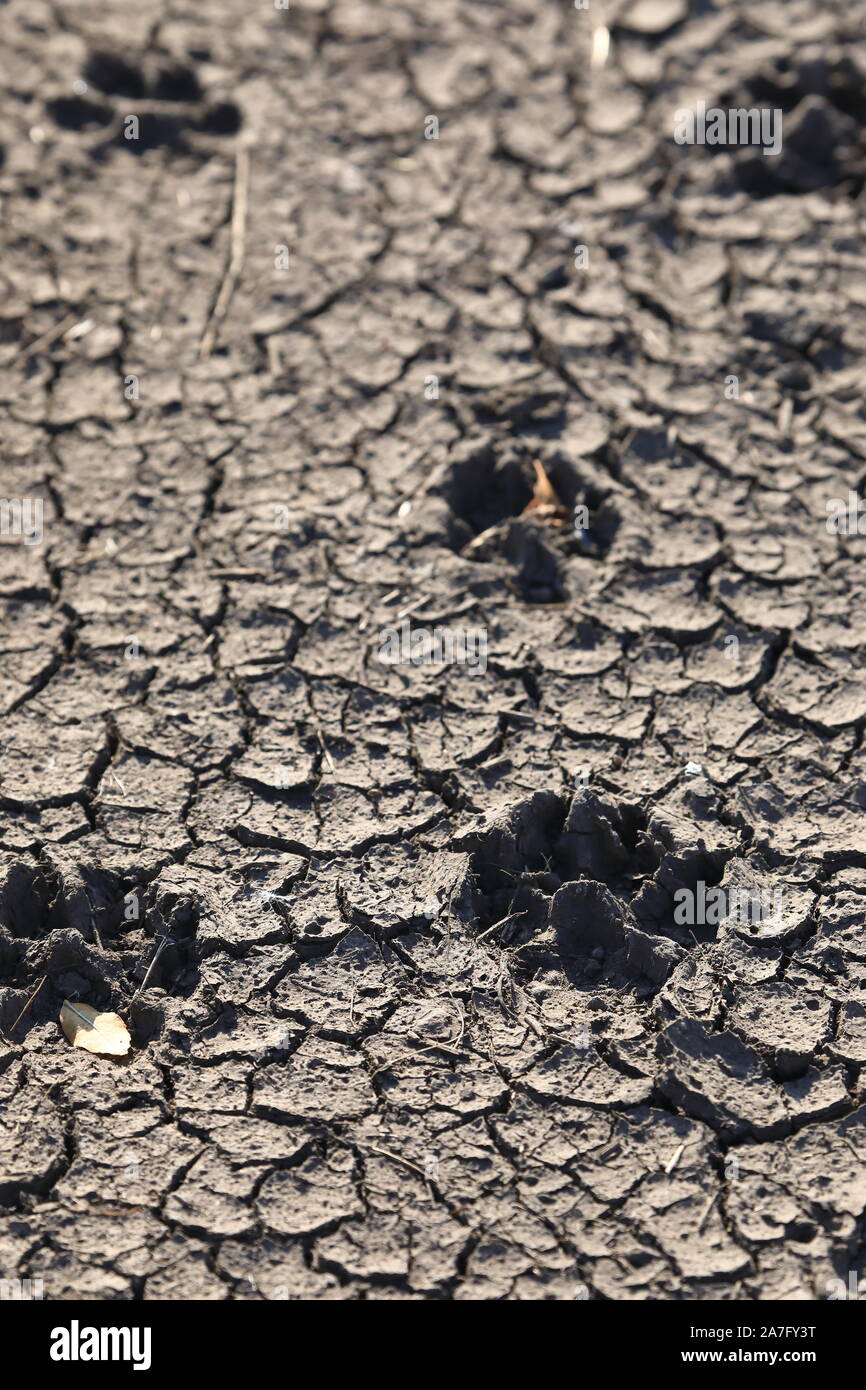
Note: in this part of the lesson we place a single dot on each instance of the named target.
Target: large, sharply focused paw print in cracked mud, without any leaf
(594, 886)
